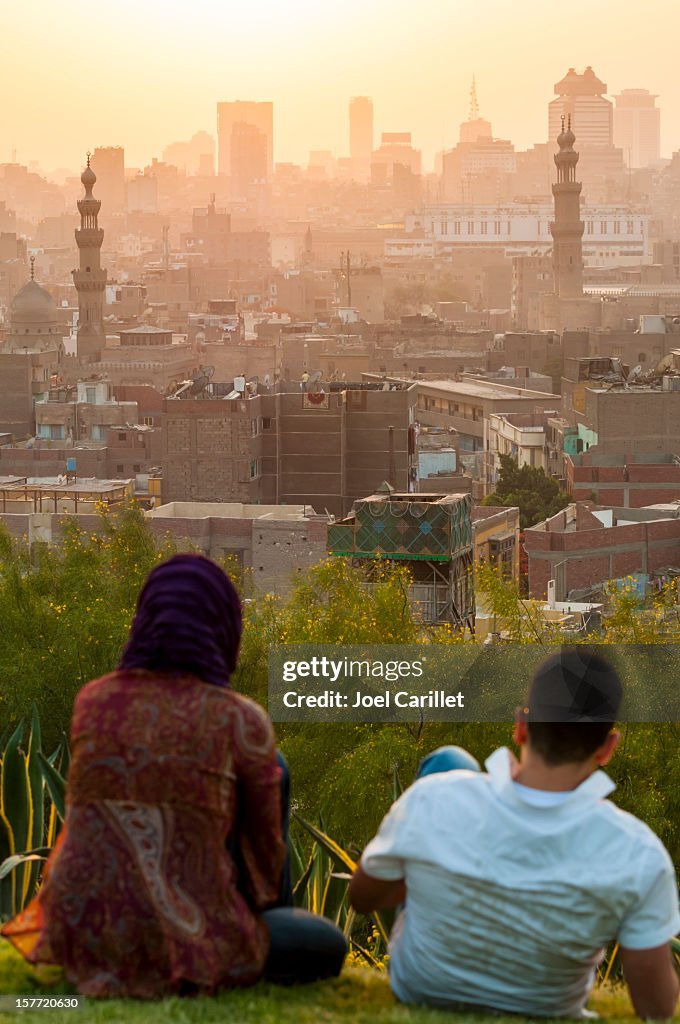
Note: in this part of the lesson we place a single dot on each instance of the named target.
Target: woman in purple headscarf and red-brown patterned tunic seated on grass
(173, 847)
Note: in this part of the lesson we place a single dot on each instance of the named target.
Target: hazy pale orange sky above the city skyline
(145, 73)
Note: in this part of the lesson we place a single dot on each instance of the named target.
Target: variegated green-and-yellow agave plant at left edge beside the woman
(32, 807)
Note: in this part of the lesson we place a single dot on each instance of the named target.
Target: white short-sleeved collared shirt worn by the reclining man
(512, 903)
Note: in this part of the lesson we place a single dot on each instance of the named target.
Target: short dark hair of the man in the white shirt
(573, 704)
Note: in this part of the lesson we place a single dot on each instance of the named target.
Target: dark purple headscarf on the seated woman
(188, 622)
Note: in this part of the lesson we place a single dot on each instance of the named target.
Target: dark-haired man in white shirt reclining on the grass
(515, 881)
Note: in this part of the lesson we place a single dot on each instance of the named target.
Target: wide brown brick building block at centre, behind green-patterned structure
(325, 449)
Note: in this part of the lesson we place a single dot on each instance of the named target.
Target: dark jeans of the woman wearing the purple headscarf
(304, 947)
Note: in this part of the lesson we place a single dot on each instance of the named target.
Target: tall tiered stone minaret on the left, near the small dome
(90, 280)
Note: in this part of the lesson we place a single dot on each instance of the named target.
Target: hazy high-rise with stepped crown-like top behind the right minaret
(581, 98)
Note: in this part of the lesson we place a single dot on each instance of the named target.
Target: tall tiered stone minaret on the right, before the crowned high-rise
(567, 229)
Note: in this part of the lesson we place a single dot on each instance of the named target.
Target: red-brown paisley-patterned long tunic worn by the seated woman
(172, 845)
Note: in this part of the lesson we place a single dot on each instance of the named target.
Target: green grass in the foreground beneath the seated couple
(362, 996)
